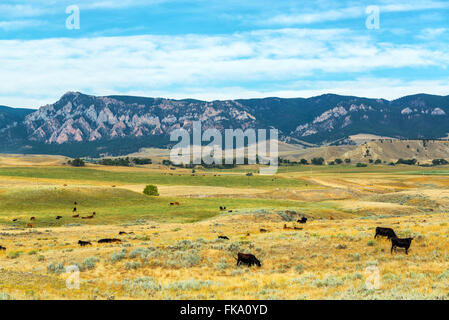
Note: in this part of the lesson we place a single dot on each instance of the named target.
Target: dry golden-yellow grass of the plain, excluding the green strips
(331, 257)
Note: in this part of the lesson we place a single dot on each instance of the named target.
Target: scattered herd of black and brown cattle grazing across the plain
(242, 258)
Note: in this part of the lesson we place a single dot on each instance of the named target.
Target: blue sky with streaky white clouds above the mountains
(218, 49)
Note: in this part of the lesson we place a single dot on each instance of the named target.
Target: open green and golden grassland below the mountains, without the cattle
(172, 252)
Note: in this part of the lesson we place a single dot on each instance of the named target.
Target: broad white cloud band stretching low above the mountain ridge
(36, 71)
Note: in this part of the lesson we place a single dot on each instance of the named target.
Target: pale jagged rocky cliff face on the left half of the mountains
(77, 117)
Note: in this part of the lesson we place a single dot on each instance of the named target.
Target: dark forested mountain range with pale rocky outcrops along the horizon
(85, 125)
